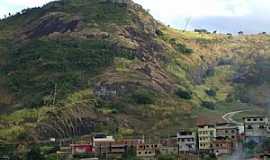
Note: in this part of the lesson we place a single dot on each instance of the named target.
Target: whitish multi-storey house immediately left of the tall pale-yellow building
(187, 141)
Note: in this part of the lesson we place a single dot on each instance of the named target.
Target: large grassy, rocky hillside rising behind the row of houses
(74, 67)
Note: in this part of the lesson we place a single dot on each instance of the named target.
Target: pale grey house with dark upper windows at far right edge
(256, 128)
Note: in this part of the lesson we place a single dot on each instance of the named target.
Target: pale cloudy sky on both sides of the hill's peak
(250, 16)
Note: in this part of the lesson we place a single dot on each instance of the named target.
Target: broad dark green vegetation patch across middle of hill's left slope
(70, 62)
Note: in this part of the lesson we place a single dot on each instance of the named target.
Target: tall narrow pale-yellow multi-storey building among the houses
(206, 134)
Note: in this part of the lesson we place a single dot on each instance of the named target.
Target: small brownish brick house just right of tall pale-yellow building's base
(222, 146)
